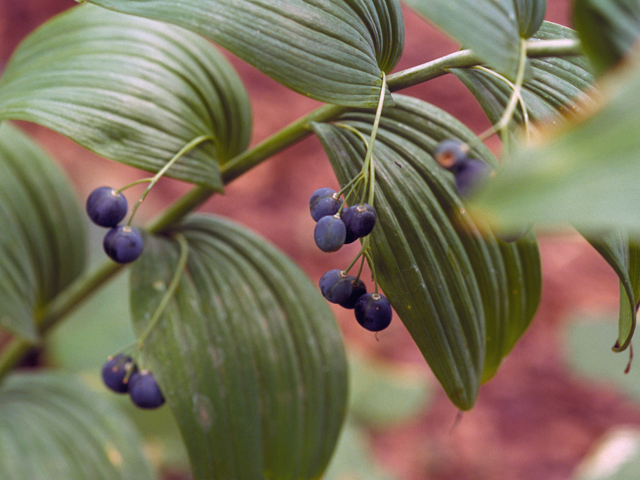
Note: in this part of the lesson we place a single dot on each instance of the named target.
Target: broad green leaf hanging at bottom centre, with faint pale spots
(246, 352)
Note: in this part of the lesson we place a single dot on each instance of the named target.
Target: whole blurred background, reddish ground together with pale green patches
(559, 408)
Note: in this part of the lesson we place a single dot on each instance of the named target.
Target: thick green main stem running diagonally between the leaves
(82, 288)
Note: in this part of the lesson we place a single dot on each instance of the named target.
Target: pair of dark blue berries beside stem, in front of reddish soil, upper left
(107, 207)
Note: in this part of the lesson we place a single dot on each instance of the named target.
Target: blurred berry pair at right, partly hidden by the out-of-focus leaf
(468, 173)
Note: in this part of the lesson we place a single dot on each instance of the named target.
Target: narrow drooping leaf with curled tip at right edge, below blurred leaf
(622, 252)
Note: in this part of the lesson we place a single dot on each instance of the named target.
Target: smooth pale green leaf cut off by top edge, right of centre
(488, 27)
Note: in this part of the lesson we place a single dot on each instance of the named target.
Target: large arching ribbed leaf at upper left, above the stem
(130, 89)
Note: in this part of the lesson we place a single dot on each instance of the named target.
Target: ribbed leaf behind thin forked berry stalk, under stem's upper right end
(555, 88)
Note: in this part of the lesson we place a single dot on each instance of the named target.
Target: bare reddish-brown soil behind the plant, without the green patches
(534, 420)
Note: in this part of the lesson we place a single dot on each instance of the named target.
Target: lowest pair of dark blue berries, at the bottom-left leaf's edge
(120, 374)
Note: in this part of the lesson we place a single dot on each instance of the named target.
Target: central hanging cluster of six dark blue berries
(336, 226)
